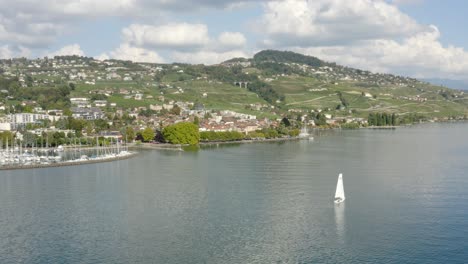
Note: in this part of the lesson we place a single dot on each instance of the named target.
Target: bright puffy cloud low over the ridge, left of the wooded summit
(186, 42)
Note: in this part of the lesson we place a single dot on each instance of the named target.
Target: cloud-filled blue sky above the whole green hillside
(418, 38)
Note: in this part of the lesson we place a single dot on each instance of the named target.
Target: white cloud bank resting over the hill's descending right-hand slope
(420, 56)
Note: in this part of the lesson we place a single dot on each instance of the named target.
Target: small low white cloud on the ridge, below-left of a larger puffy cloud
(127, 52)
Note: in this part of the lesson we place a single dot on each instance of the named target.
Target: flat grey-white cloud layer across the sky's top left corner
(27, 23)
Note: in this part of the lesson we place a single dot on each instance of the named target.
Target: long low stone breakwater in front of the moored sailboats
(66, 164)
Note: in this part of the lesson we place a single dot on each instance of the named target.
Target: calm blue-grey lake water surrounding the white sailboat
(406, 202)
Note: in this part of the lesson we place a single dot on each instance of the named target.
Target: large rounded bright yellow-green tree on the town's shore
(182, 133)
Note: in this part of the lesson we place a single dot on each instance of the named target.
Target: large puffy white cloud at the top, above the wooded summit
(333, 22)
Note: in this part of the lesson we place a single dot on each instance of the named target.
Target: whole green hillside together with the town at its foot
(72, 96)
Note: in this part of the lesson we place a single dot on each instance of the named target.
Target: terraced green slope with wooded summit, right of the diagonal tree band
(308, 83)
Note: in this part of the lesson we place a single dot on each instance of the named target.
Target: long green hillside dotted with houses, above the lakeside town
(271, 84)
